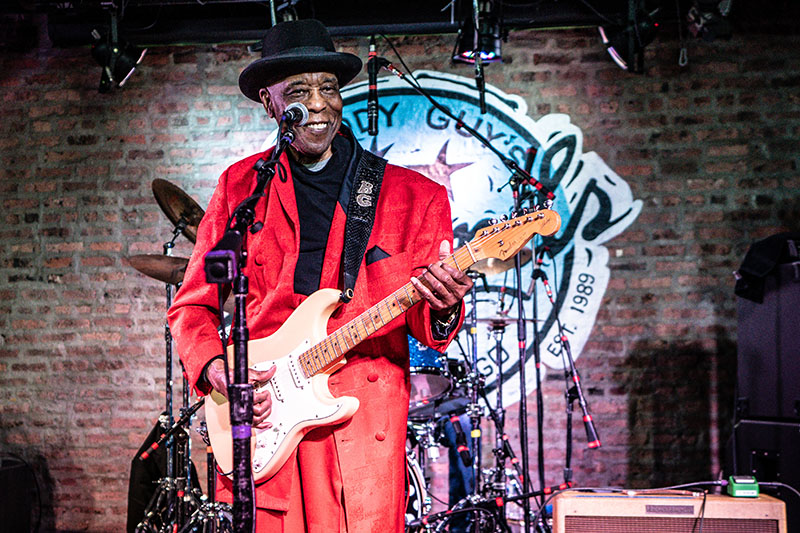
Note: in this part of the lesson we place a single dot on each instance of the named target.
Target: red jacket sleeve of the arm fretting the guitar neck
(437, 226)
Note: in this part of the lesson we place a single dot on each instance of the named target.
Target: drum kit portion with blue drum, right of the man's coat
(447, 403)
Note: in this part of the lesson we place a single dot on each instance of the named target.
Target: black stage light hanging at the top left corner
(117, 57)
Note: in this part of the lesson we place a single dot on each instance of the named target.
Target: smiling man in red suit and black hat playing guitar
(350, 476)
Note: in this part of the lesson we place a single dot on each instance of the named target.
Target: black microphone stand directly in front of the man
(223, 266)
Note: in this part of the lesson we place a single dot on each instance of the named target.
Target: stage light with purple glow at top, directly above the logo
(486, 41)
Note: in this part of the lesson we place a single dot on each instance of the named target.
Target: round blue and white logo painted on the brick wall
(595, 204)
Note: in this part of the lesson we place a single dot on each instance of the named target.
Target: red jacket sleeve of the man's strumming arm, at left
(193, 317)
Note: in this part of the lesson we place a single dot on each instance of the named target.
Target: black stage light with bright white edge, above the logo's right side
(626, 44)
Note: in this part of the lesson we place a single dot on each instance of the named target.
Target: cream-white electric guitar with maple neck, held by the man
(305, 355)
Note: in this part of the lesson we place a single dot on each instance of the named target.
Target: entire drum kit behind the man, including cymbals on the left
(446, 395)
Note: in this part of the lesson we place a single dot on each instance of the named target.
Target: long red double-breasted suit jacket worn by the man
(411, 220)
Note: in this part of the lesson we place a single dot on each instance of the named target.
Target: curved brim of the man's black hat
(266, 71)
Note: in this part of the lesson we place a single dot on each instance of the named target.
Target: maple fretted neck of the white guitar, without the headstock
(334, 347)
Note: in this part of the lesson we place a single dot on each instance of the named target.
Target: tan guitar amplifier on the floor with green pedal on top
(666, 512)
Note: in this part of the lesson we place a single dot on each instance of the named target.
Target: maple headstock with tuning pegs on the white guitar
(504, 239)
